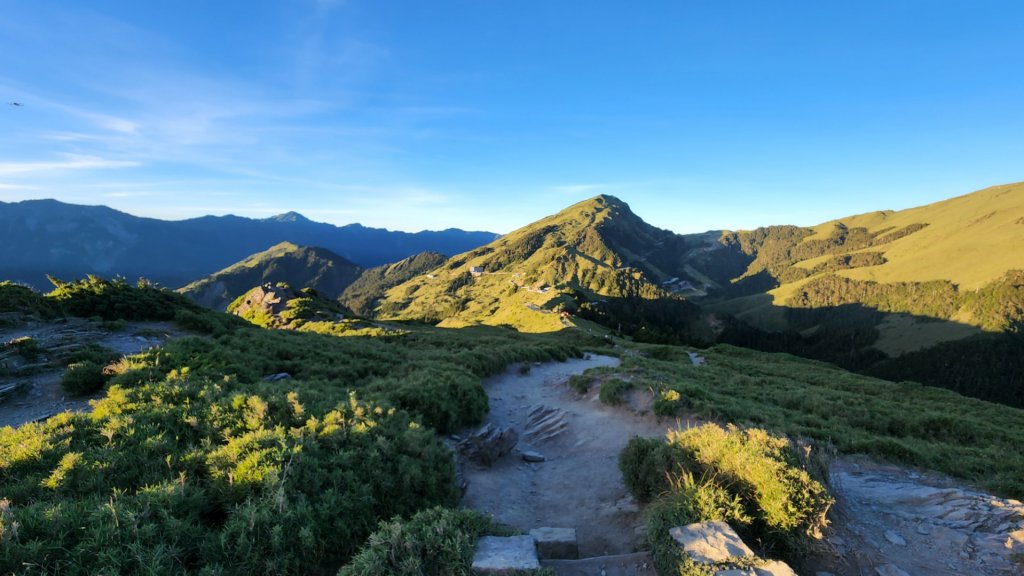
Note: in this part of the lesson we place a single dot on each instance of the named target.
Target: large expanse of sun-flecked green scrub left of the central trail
(193, 463)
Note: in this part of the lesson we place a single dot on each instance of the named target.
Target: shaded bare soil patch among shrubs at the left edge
(40, 394)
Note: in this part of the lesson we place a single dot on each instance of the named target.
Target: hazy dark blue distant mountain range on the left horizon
(47, 237)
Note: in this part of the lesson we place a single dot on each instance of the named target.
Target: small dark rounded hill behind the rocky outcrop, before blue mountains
(321, 270)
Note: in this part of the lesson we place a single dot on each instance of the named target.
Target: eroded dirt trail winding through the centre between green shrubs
(578, 485)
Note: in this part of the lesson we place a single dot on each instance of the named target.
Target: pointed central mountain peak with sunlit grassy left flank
(595, 258)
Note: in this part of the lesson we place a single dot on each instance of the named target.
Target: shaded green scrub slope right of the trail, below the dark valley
(905, 423)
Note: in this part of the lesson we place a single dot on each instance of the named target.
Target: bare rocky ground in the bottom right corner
(890, 519)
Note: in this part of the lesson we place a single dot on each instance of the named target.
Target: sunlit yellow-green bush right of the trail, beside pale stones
(748, 478)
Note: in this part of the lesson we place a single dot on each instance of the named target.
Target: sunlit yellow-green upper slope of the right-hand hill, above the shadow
(966, 243)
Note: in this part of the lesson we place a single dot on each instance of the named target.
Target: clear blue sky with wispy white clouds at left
(489, 115)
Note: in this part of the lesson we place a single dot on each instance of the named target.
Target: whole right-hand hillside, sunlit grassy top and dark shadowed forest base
(933, 294)
